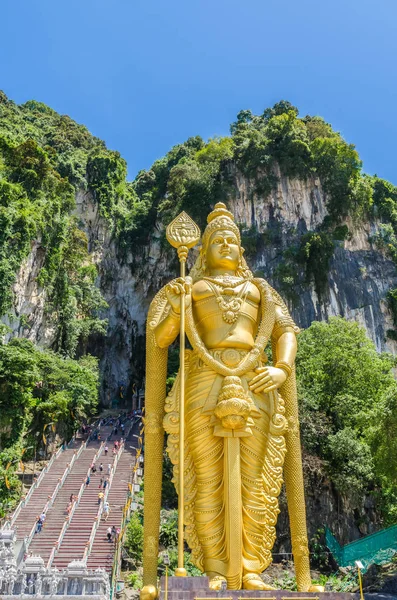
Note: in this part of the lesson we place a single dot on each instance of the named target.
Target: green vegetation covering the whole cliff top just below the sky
(45, 158)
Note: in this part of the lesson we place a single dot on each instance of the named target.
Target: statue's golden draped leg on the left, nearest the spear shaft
(207, 453)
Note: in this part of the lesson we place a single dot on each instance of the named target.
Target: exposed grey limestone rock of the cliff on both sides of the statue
(358, 280)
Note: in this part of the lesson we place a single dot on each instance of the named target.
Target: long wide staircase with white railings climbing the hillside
(64, 537)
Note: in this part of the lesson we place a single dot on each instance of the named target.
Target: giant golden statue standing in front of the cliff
(240, 426)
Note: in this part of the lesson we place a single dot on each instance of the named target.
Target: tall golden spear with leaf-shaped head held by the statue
(182, 233)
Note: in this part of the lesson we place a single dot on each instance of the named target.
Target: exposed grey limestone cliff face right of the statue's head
(359, 277)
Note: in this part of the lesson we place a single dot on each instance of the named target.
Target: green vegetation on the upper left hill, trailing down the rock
(36, 202)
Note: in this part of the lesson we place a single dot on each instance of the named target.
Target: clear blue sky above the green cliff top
(146, 74)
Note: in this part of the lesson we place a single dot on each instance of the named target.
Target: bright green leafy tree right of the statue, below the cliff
(347, 396)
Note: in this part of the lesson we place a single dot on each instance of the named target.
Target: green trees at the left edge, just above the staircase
(42, 394)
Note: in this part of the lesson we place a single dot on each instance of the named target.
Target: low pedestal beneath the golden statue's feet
(197, 588)
